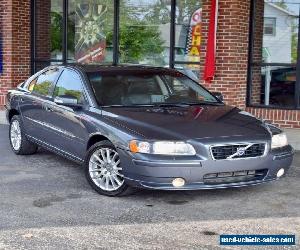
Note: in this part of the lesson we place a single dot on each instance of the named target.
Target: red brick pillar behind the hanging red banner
(232, 49)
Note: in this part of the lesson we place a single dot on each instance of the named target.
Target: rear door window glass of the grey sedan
(43, 84)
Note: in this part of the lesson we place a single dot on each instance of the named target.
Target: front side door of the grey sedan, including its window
(68, 133)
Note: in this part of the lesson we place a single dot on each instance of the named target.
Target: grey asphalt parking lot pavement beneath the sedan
(45, 200)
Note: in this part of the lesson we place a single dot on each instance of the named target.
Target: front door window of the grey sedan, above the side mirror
(69, 86)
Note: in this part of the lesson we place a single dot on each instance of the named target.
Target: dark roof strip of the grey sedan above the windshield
(90, 68)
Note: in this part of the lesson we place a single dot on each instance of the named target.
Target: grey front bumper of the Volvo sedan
(159, 174)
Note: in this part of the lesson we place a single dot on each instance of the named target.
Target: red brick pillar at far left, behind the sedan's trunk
(15, 29)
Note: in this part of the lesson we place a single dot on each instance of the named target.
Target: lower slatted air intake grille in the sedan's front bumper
(234, 177)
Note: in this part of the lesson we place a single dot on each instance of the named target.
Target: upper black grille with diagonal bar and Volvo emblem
(238, 151)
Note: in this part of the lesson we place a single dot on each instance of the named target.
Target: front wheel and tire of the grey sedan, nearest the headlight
(103, 175)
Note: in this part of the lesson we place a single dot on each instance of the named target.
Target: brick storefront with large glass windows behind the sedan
(256, 46)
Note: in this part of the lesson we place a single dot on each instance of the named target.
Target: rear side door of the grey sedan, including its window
(33, 103)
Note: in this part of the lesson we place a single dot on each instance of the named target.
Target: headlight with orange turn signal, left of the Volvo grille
(161, 148)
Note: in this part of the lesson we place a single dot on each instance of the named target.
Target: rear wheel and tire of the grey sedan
(19, 143)
